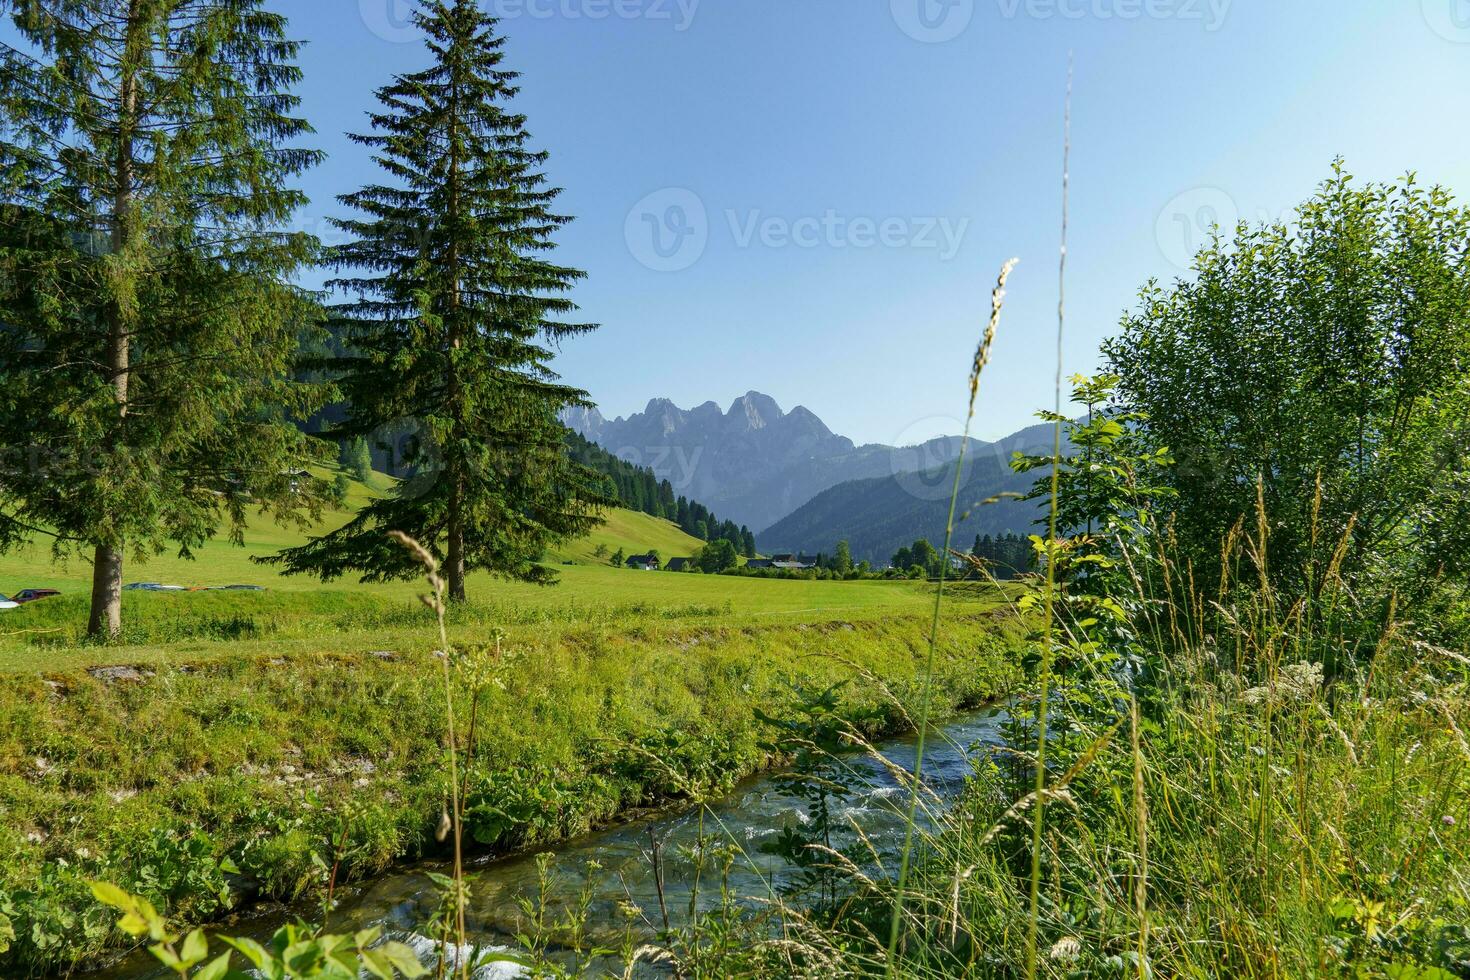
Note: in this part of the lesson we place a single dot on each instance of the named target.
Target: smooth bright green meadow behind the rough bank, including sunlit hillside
(299, 615)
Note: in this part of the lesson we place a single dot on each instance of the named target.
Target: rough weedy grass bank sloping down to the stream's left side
(192, 778)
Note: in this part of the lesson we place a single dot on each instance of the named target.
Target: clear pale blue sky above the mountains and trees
(836, 183)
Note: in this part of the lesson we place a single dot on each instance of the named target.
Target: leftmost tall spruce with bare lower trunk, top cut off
(148, 328)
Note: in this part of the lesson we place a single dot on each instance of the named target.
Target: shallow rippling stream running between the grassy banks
(759, 809)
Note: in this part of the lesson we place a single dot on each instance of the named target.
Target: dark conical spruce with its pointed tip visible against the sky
(452, 314)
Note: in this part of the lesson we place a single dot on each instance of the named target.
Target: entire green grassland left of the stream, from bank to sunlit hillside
(276, 732)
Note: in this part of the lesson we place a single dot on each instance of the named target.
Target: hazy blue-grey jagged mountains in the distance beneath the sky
(790, 475)
